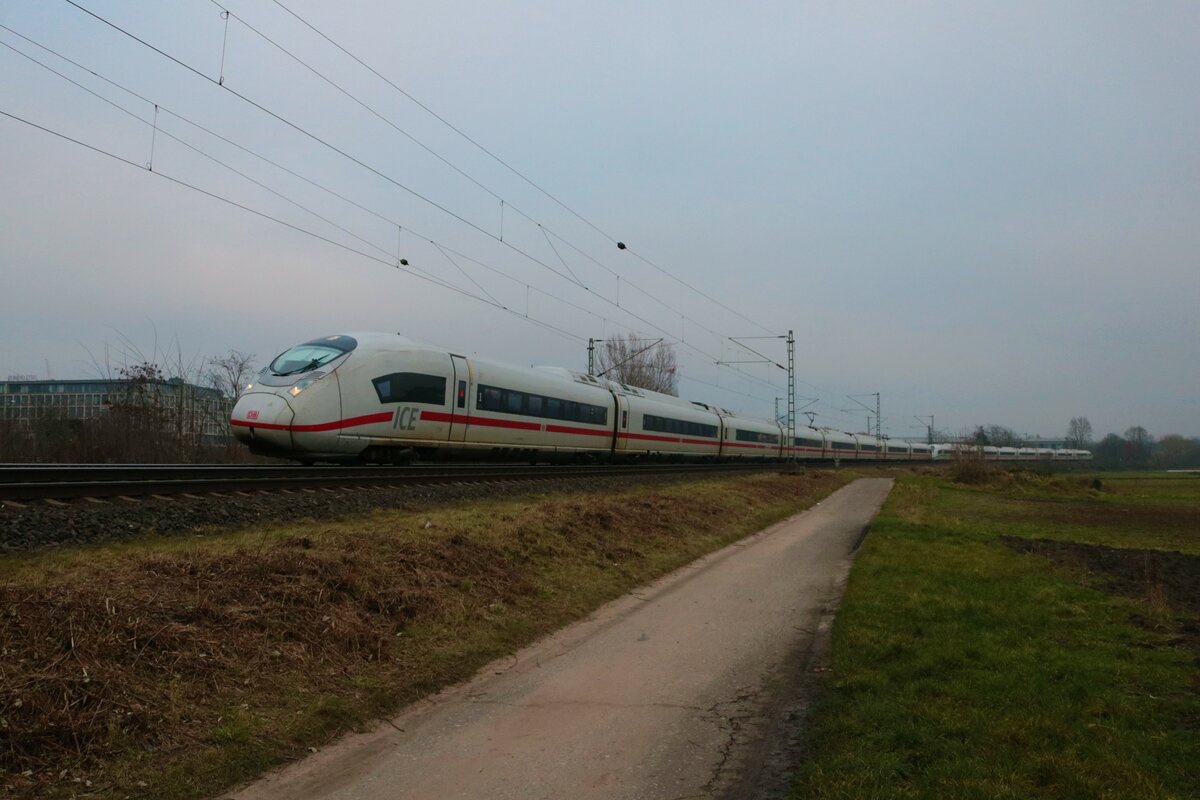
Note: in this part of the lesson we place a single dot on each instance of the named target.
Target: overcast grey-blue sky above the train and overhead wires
(989, 213)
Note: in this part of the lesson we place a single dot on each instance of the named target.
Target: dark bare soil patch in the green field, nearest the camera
(1162, 579)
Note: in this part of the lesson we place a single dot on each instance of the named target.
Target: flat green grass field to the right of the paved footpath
(974, 660)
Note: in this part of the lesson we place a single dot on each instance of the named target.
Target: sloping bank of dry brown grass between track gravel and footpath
(173, 669)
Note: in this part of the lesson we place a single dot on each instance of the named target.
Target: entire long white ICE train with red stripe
(383, 399)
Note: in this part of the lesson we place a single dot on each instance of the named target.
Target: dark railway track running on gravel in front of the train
(27, 483)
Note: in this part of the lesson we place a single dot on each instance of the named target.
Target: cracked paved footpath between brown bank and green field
(674, 691)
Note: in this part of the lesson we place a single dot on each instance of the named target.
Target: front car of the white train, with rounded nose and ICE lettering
(386, 399)
